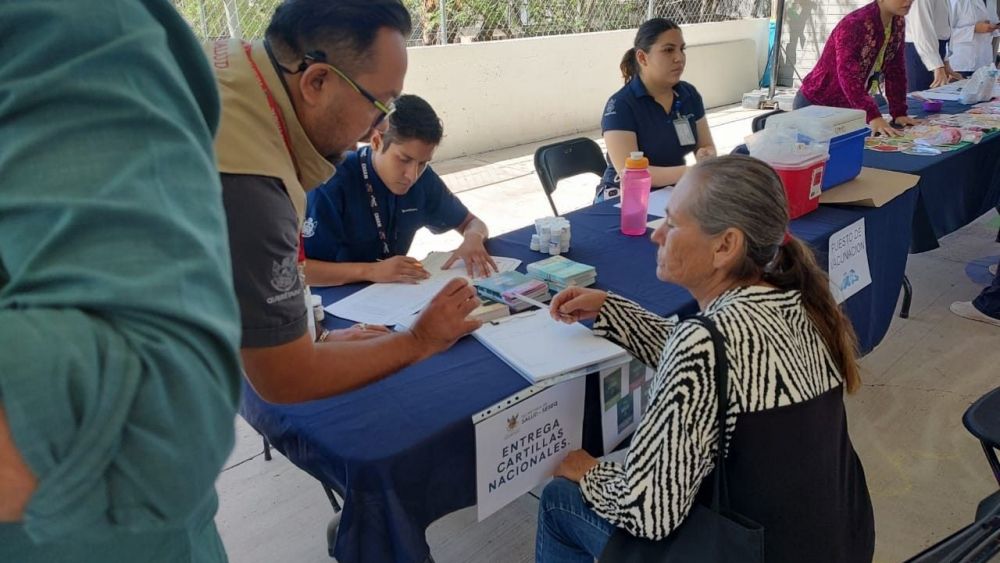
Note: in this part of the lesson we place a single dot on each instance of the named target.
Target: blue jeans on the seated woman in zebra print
(568, 530)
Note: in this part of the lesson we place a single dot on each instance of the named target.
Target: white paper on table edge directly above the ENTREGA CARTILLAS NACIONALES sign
(540, 349)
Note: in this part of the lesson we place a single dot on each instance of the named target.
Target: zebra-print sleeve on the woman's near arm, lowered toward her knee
(673, 447)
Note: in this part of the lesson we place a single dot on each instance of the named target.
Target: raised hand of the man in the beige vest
(444, 320)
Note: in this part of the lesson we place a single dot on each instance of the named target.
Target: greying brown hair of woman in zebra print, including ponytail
(746, 194)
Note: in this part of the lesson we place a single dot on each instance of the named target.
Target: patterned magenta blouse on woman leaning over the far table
(840, 78)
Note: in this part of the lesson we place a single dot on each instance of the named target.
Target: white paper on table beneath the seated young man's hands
(390, 303)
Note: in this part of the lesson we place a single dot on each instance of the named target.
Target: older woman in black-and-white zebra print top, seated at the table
(791, 354)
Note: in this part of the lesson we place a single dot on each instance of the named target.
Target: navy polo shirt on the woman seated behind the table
(633, 109)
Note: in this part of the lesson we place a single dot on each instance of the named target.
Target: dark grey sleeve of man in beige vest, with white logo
(263, 240)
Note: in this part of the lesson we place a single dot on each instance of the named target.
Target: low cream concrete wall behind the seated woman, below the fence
(498, 94)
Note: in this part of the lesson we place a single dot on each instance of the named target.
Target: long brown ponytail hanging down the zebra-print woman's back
(795, 267)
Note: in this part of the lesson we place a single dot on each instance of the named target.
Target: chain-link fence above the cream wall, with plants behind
(463, 21)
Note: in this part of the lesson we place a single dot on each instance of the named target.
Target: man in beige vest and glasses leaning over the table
(324, 76)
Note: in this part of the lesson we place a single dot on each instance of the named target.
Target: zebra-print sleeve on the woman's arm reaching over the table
(637, 330)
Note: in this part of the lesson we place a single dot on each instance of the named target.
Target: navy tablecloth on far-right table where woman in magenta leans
(955, 188)
